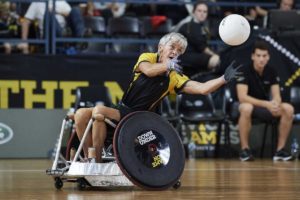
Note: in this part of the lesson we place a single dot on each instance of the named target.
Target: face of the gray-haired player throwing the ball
(169, 51)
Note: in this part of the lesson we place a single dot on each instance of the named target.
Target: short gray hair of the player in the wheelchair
(172, 38)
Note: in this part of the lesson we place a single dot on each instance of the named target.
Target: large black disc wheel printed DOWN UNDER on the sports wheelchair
(149, 151)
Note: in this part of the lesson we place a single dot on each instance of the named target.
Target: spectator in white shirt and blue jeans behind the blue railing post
(64, 15)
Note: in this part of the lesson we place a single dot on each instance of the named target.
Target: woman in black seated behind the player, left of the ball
(198, 56)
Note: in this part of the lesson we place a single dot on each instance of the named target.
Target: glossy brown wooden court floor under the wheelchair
(202, 179)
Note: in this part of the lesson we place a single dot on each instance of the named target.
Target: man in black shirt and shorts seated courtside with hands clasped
(254, 85)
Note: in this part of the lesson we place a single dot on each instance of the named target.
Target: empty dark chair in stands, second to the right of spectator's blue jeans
(124, 28)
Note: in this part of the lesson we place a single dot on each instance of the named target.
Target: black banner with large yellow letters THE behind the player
(50, 81)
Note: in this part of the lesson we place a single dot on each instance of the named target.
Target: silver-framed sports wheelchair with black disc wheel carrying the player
(145, 151)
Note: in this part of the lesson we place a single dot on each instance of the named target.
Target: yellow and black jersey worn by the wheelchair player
(145, 93)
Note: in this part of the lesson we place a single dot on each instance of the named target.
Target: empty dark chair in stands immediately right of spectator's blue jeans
(96, 28)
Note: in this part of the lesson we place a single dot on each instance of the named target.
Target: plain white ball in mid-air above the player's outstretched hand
(234, 29)
